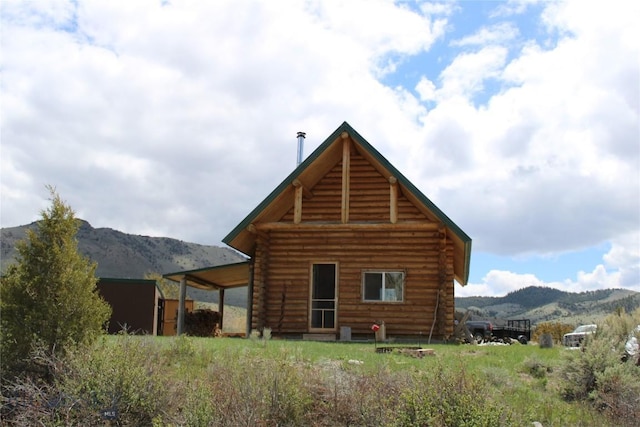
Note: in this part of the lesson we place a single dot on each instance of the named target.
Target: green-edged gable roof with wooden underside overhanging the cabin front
(314, 167)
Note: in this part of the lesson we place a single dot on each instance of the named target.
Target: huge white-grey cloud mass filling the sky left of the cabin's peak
(193, 103)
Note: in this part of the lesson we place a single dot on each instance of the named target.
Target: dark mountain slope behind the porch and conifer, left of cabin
(122, 255)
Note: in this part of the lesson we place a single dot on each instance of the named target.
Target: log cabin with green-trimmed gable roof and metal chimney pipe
(345, 241)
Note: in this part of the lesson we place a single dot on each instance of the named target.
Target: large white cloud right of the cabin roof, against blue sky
(551, 162)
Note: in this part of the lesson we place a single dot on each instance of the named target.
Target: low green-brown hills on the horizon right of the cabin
(542, 304)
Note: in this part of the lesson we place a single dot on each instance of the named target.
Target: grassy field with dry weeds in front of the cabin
(231, 382)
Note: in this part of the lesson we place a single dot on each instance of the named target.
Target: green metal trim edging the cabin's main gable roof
(345, 127)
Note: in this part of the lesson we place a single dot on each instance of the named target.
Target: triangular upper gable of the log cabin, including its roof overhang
(346, 182)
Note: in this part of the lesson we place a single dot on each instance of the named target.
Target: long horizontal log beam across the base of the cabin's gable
(382, 226)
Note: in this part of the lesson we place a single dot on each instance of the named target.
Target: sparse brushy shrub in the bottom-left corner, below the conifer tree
(120, 381)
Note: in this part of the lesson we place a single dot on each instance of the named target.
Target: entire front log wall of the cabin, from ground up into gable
(352, 205)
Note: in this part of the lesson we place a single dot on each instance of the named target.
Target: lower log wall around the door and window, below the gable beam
(287, 275)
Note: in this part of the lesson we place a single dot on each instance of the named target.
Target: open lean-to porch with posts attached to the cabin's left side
(216, 278)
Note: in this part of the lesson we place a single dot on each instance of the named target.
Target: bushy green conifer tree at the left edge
(48, 298)
